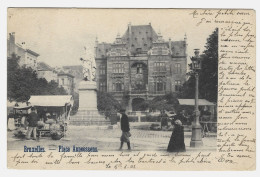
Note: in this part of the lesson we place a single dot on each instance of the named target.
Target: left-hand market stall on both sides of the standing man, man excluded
(53, 111)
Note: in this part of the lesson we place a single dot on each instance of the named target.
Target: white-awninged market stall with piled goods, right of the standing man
(54, 112)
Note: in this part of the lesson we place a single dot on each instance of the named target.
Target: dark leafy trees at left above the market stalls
(23, 82)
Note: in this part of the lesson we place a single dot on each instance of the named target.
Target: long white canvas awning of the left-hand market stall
(51, 100)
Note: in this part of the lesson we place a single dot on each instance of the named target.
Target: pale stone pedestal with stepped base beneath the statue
(88, 113)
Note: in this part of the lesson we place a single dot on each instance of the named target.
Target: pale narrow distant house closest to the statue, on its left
(66, 80)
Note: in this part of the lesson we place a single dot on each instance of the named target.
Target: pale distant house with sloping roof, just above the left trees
(47, 72)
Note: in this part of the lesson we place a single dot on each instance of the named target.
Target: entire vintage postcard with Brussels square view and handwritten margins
(131, 89)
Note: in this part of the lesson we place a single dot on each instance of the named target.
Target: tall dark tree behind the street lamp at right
(208, 75)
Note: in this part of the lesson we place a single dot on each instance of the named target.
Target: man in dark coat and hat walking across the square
(124, 122)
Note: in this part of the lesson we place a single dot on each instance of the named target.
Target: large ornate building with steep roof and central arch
(140, 65)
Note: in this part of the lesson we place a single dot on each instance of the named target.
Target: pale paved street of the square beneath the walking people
(108, 139)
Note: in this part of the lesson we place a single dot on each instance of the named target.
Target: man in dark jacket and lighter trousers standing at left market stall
(33, 119)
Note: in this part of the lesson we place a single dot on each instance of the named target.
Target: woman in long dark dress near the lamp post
(176, 143)
